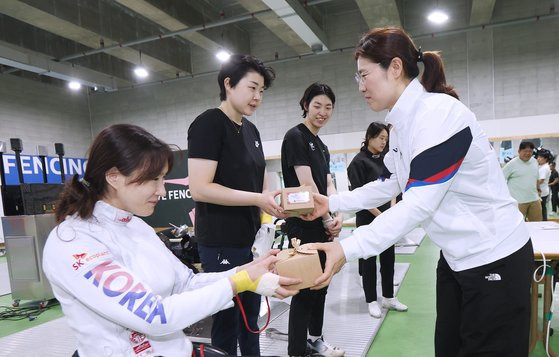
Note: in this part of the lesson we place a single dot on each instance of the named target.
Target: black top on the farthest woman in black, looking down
(364, 168)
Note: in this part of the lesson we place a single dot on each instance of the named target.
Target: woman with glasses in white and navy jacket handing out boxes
(453, 187)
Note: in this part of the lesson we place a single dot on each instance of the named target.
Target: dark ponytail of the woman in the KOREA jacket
(77, 197)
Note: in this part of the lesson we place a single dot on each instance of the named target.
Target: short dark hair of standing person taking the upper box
(237, 67)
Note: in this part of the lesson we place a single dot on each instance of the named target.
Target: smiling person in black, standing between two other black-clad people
(305, 160)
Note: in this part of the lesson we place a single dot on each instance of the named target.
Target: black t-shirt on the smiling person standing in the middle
(300, 147)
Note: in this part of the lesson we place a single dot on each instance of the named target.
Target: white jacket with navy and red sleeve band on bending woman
(452, 185)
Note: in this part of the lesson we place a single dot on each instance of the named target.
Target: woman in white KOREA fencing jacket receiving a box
(122, 291)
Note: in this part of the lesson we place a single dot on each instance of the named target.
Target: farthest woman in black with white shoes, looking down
(367, 166)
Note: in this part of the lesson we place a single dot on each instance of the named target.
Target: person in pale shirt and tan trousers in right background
(521, 175)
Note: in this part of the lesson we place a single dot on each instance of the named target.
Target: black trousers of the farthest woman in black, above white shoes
(368, 272)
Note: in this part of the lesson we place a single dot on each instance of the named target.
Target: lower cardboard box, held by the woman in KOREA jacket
(304, 265)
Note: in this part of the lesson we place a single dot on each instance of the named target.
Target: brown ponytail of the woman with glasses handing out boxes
(433, 78)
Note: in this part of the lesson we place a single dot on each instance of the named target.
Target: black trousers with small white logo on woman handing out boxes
(485, 311)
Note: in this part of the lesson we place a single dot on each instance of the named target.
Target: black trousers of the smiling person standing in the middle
(307, 308)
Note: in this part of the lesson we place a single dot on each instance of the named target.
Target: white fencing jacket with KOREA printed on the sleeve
(122, 291)
